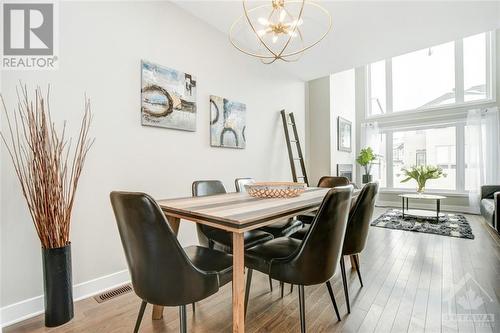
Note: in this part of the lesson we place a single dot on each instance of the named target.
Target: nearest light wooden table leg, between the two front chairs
(238, 283)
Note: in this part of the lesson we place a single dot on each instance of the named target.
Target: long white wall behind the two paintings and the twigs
(101, 46)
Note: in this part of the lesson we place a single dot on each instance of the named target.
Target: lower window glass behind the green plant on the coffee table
(434, 146)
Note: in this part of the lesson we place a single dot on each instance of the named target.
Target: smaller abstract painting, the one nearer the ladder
(227, 123)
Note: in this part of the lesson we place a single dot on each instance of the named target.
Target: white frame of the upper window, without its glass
(459, 83)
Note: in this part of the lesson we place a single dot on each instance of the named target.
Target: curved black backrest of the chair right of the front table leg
(320, 251)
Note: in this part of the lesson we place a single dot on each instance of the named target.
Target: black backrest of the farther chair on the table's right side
(359, 220)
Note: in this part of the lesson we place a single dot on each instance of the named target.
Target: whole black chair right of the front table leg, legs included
(308, 262)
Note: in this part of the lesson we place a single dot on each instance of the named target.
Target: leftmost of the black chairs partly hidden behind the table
(217, 238)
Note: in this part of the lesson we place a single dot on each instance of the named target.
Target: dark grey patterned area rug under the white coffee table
(453, 225)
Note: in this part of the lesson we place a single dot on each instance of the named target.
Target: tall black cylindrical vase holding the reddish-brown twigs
(57, 285)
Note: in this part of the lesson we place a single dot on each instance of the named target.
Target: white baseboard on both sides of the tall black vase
(13, 313)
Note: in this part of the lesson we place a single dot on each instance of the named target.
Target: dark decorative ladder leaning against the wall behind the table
(289, 121)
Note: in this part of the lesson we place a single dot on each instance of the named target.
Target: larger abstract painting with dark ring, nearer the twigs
(168, 98)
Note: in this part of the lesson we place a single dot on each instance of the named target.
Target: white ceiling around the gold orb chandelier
(364, 32)
